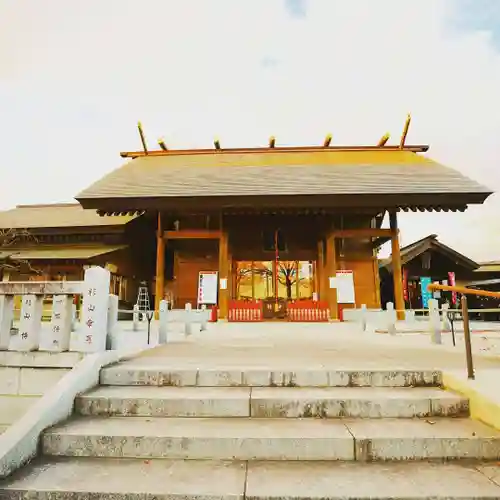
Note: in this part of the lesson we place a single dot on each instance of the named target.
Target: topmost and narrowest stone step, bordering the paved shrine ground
(143, 372)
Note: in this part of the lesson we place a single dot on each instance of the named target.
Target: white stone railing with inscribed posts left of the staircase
(97, 315)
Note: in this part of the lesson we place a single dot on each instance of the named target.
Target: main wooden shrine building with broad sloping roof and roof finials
(273, 229)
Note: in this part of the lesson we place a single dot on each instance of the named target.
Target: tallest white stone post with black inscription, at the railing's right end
(94, 321)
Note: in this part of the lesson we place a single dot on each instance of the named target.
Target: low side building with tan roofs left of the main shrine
(58, 241)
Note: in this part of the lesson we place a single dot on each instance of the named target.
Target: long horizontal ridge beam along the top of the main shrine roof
(417, 148)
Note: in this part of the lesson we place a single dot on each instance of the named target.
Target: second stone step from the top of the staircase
(274, 402)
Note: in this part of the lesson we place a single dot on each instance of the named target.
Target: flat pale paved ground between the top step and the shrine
(308, 345)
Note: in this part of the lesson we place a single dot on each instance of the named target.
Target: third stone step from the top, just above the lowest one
(273, 439)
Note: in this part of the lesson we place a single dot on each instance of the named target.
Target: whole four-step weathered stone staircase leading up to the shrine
(157, 433)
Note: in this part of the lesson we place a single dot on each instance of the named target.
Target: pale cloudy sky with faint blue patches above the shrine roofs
(75, 77)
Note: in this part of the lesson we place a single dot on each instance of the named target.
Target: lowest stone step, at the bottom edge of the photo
(113, 479)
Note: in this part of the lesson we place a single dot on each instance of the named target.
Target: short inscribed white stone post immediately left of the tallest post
(58, 337)
